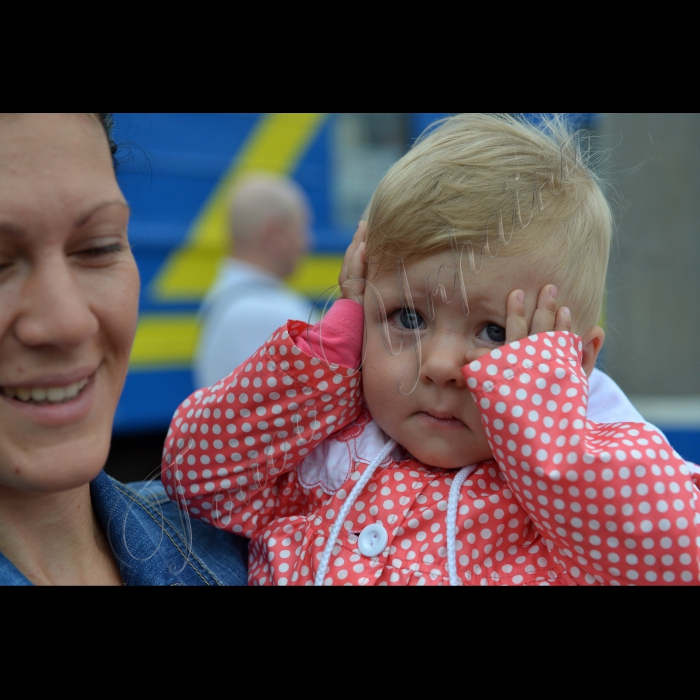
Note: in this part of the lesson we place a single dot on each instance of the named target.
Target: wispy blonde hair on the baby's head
(497, 184)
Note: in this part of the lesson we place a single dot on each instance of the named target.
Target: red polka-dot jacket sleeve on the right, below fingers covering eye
(613, 502)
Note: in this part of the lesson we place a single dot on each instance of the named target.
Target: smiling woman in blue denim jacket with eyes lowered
(69, 289)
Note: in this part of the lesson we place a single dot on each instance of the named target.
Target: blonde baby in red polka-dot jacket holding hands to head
(463, 452)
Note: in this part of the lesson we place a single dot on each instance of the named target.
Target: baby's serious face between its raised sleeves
(438, 422)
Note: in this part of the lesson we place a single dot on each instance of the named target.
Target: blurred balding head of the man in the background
(269, 223)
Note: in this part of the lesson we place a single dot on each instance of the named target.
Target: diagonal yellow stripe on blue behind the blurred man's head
(276, 145)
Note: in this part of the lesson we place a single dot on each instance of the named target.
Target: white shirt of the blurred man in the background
(245, 305)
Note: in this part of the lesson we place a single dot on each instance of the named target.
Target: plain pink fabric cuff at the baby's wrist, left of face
(341, 332)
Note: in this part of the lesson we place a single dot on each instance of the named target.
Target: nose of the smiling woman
(54, 310)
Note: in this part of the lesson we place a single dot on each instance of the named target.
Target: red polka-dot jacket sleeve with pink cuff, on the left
(231, 448)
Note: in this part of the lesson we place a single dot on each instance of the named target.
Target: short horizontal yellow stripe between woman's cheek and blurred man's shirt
(165, 340)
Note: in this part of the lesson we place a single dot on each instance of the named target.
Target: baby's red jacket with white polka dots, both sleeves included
(566, 502)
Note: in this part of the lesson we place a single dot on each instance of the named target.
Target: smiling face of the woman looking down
(69, 291)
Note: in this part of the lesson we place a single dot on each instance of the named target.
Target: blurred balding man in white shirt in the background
(269, 233)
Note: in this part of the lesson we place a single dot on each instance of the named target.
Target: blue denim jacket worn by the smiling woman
(150, 540)
